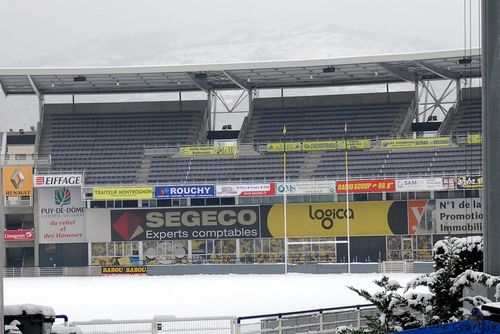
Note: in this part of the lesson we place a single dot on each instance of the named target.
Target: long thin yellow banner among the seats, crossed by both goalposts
(319, 145)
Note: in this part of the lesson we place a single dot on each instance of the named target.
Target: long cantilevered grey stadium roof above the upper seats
(378, 69)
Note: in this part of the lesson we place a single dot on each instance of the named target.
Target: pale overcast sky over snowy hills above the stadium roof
(71, 33)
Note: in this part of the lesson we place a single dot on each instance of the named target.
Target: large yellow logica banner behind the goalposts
(330, 219)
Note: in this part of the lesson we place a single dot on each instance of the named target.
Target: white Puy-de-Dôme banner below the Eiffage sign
(62, 217)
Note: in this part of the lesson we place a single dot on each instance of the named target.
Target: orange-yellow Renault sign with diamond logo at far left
(18, 181)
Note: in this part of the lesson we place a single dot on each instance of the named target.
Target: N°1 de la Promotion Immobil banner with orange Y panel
(445, 216)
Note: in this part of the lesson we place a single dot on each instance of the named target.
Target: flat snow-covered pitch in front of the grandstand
(142, 297)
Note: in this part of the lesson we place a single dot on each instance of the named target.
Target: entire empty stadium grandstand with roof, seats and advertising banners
(156, 185)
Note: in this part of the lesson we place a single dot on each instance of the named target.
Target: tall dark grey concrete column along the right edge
(491, 134)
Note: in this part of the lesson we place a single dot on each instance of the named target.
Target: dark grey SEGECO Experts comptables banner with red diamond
(220, 222)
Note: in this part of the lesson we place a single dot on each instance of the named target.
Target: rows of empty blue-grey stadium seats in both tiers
(110, 142)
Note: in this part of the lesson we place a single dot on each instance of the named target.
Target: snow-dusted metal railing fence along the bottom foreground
(312, 321)
